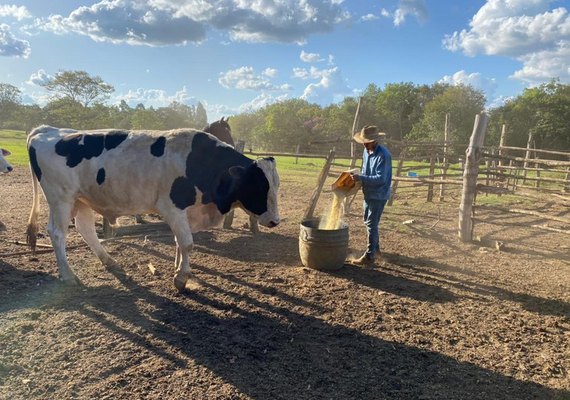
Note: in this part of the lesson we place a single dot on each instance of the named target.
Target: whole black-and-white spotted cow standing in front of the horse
(188, 177)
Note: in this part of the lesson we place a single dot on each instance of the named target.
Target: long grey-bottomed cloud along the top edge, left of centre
(172, 22)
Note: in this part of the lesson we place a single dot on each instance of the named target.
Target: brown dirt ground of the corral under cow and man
(437, 319)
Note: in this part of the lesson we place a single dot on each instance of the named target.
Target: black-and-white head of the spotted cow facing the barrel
(256, 189)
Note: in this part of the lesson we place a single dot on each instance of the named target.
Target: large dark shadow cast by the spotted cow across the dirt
(289, 355)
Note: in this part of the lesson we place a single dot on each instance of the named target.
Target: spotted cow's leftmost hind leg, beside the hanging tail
(59, 218)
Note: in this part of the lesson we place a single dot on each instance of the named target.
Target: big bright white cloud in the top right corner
(524, 30)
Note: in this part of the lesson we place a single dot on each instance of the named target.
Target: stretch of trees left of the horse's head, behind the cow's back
(78, 100)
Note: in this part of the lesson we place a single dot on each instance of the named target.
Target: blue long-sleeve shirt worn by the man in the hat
(376, 174)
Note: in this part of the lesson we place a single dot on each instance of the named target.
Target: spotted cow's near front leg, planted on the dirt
(184, 244)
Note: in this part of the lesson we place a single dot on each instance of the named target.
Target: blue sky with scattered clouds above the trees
(239, 55)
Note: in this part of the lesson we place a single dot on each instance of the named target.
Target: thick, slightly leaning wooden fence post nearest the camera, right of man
(472, 158)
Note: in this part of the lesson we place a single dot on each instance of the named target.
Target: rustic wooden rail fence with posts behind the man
(445, 167)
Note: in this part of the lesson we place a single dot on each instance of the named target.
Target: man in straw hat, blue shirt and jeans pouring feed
(376, 179)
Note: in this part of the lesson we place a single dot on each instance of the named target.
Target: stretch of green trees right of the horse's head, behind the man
(413, 112)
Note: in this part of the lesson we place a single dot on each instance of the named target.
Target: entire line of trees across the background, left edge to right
(404, 111)
